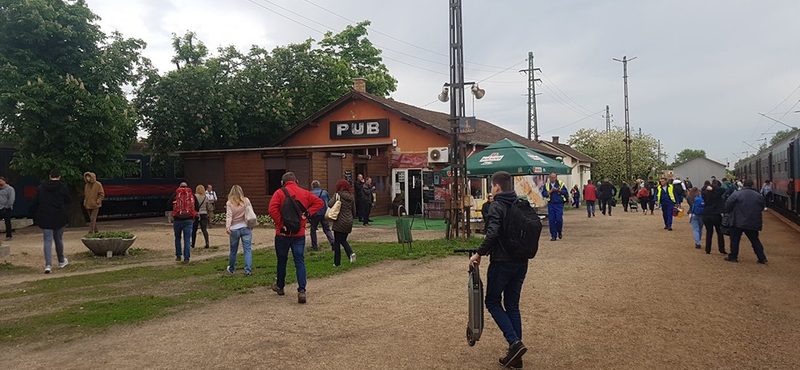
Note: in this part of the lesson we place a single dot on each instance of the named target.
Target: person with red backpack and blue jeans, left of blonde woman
(184, 210)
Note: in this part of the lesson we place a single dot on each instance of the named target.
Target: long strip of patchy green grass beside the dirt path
(90, 303)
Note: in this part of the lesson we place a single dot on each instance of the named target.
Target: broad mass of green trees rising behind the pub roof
(235, 100)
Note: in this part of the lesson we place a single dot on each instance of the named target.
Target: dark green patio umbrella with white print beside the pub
(512, 157)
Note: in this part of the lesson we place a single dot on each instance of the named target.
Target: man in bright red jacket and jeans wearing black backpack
(295, 242)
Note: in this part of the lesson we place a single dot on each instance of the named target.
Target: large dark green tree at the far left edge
(61, 90)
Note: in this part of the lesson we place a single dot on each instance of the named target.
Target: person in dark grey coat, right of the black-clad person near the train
(745, 207)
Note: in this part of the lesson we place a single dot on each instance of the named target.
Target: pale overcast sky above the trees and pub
(703, 72)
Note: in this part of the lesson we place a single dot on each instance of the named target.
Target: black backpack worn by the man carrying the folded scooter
(521, 231)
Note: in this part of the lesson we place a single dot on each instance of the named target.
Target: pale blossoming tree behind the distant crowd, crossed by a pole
(609, 150)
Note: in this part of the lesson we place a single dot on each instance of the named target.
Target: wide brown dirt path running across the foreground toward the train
(617, 293)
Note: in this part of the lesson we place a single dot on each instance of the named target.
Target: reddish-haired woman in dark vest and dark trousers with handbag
(343, 203)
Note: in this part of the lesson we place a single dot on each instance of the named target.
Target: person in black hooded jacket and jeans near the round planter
(49, 211)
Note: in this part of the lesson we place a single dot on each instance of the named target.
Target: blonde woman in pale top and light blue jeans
(236, 227)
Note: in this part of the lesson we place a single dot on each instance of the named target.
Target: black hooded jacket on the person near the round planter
(49, 208)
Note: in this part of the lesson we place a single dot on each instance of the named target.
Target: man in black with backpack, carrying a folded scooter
(512, 237)
